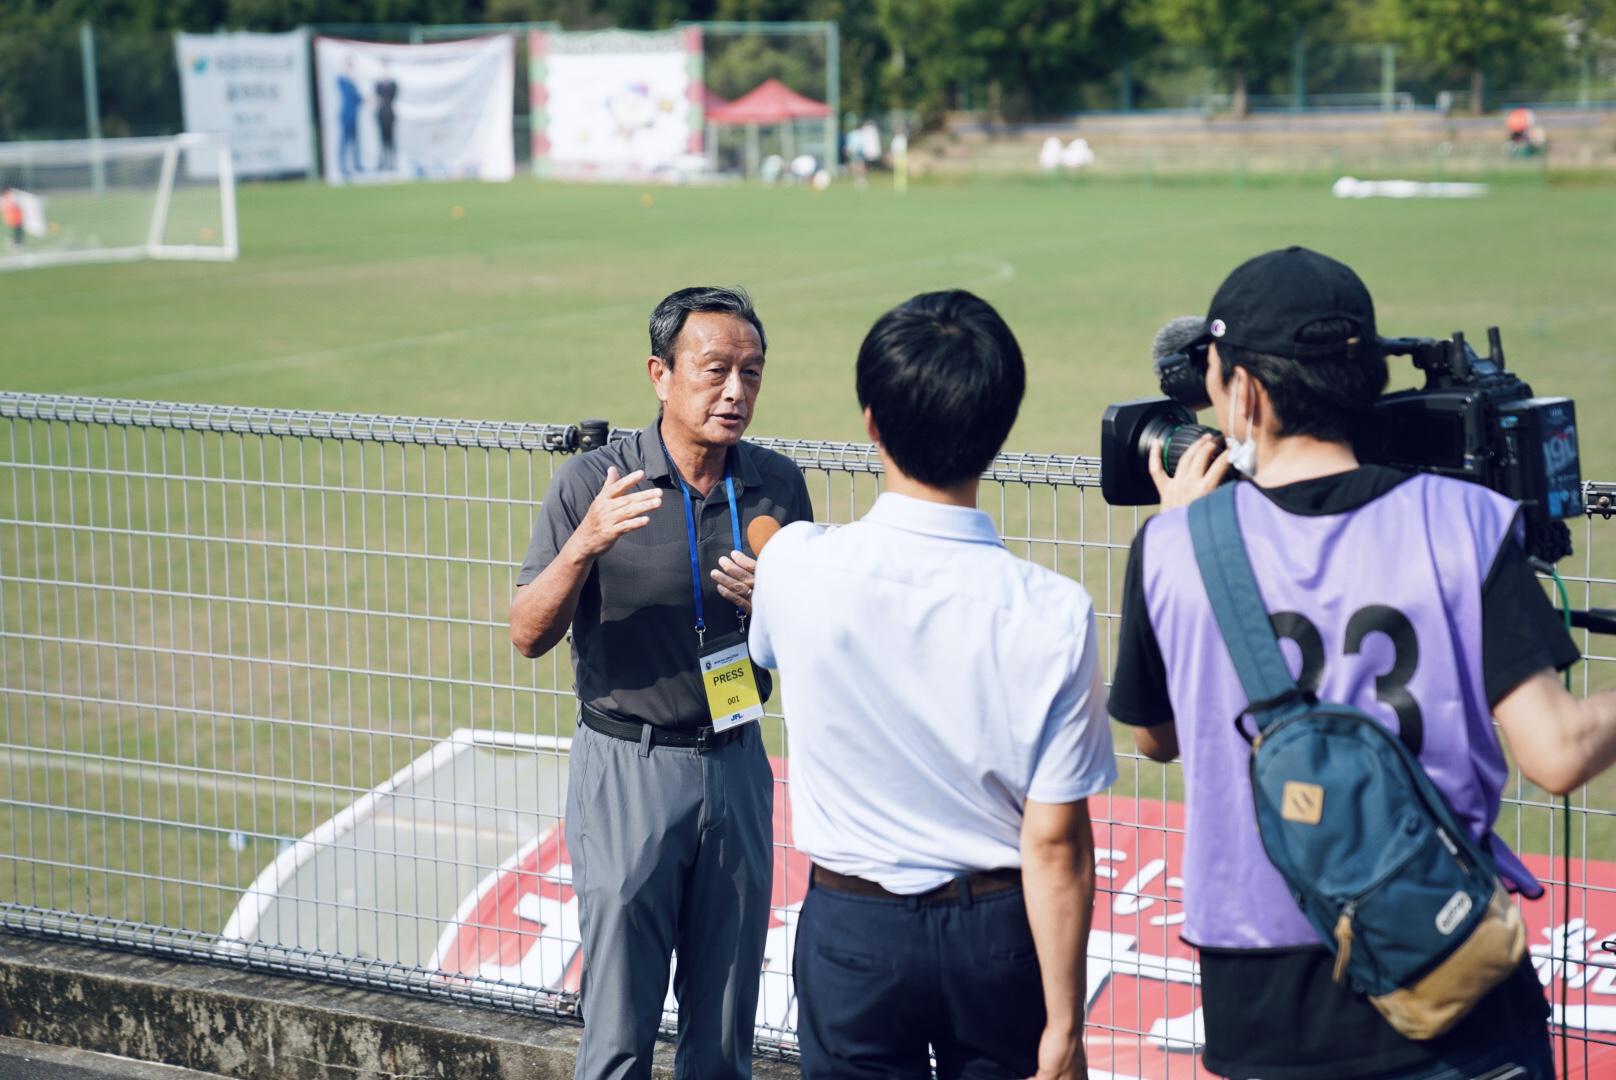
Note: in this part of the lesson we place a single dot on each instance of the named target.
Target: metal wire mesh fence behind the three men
(258, 707)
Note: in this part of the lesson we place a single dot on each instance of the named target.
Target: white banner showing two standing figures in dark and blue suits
(416, 112)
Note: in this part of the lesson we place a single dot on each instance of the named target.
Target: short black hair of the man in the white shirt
(943, 378)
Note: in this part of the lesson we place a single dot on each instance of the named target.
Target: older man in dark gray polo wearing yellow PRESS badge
(639, 549)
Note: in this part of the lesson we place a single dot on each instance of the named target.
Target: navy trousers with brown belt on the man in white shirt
(885, 984)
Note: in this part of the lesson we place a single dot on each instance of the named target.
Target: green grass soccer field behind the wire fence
(531, 303)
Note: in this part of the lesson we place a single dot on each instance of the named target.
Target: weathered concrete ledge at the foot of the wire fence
(250, 1024)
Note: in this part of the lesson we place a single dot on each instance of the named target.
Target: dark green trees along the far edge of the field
(1019, 59)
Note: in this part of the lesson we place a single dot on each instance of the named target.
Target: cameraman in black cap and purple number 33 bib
(1403, 594)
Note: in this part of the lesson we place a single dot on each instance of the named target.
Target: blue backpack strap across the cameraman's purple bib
(1237, 605)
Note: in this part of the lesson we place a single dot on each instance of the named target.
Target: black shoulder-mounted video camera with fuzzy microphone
(1471, 420)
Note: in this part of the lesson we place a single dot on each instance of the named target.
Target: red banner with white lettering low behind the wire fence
(521, 927)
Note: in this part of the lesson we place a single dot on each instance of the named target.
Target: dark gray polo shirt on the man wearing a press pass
(634, 643)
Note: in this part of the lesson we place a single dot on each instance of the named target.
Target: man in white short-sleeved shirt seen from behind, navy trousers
(948, 725)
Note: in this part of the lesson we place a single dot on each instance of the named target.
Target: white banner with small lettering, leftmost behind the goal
(253, 90)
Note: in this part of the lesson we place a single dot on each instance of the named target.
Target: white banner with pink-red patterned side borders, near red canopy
(617, 104)
